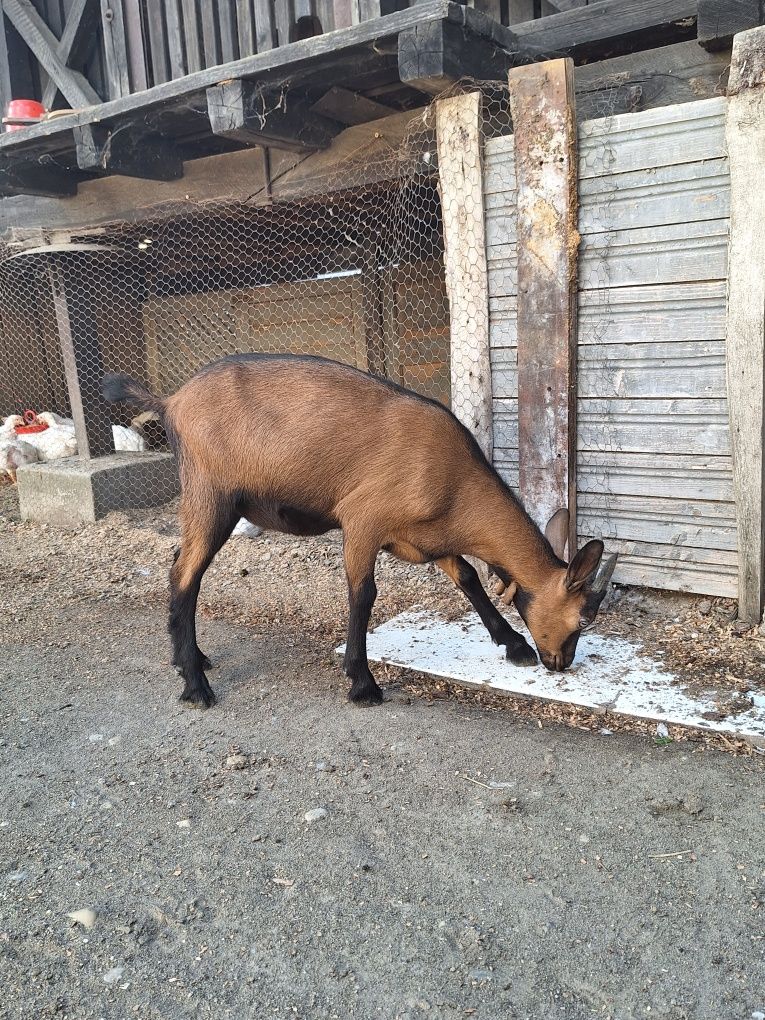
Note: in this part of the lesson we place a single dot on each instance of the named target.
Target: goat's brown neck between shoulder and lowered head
(503, 536)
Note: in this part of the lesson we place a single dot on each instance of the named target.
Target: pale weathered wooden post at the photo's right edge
(746, 311)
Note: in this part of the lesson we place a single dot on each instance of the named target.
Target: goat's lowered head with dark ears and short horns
(568, 602)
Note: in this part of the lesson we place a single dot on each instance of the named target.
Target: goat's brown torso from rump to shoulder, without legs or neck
(314, 431)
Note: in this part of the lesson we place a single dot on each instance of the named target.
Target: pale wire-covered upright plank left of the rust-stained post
(458, 133)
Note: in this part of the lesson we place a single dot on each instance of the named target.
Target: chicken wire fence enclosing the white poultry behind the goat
(349, 267)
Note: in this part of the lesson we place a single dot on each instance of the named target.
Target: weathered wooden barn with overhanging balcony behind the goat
(550, 215)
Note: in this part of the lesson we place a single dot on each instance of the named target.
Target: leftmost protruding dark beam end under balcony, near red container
(127, 152)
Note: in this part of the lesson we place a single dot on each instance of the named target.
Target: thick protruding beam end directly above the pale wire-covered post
(435, 55)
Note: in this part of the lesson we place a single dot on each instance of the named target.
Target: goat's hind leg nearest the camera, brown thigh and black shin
(206, 526)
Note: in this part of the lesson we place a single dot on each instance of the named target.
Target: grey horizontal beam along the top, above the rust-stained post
(608, 28)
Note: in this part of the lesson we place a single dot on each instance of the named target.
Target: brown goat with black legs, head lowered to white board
(304, 445)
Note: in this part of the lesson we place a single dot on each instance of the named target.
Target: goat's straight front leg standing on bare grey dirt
(363, 592)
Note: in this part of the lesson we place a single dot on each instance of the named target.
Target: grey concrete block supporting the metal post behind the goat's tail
(72, 492)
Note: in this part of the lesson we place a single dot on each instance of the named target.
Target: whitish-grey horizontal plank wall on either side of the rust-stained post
(655, 478)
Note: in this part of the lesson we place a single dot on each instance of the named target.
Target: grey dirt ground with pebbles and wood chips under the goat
(467, 856)
